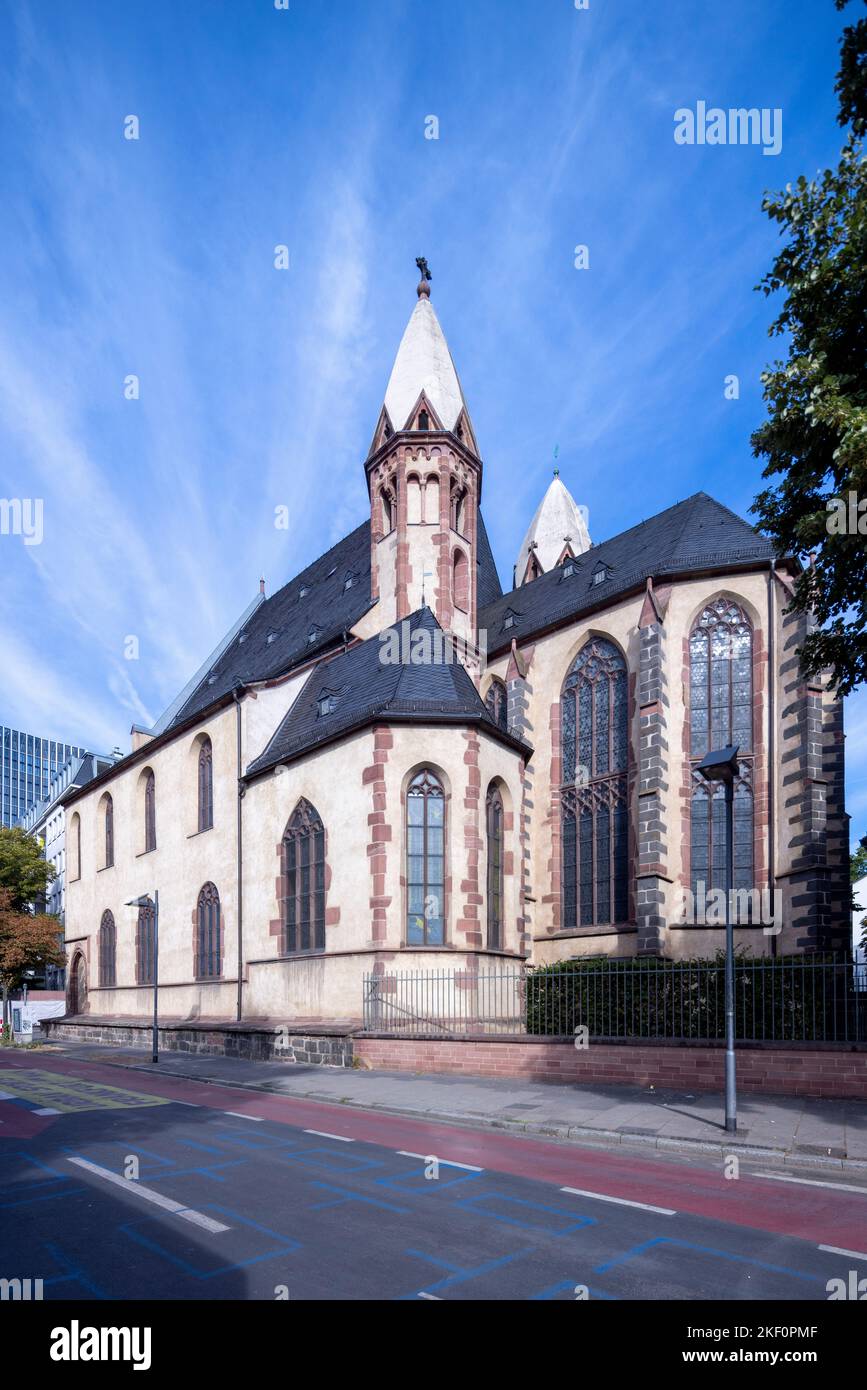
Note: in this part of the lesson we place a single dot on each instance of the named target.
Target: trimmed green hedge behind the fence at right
(784, 999)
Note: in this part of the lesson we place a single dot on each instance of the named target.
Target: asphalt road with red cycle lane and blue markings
(115, 1185)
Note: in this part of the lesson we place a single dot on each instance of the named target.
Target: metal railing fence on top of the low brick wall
(786, 1000)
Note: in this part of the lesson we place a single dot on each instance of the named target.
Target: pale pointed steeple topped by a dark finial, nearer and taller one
(424, 368)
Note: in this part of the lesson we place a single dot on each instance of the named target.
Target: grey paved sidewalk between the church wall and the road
(809, 1132)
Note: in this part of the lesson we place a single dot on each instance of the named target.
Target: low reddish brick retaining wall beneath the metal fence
(829, 1070)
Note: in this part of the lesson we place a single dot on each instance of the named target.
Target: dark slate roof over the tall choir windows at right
(697, 534)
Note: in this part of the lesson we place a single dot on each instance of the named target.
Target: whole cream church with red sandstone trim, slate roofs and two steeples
(393, 764)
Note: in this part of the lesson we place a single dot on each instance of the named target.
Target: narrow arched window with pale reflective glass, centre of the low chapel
(426, 861)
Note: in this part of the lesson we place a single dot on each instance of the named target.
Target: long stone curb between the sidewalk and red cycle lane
(551, 1129)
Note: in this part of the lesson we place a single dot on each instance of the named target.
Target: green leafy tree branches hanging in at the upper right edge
(815, 440)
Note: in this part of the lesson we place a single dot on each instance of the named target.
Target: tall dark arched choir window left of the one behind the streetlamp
(595, 736)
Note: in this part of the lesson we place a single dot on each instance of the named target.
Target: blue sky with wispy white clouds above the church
(262, 389)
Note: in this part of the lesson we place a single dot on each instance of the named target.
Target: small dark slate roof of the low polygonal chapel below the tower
(368, 687)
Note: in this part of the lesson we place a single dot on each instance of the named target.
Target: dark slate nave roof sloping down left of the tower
(276, 637)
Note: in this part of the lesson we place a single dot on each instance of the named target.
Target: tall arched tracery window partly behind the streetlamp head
(722, 715)
